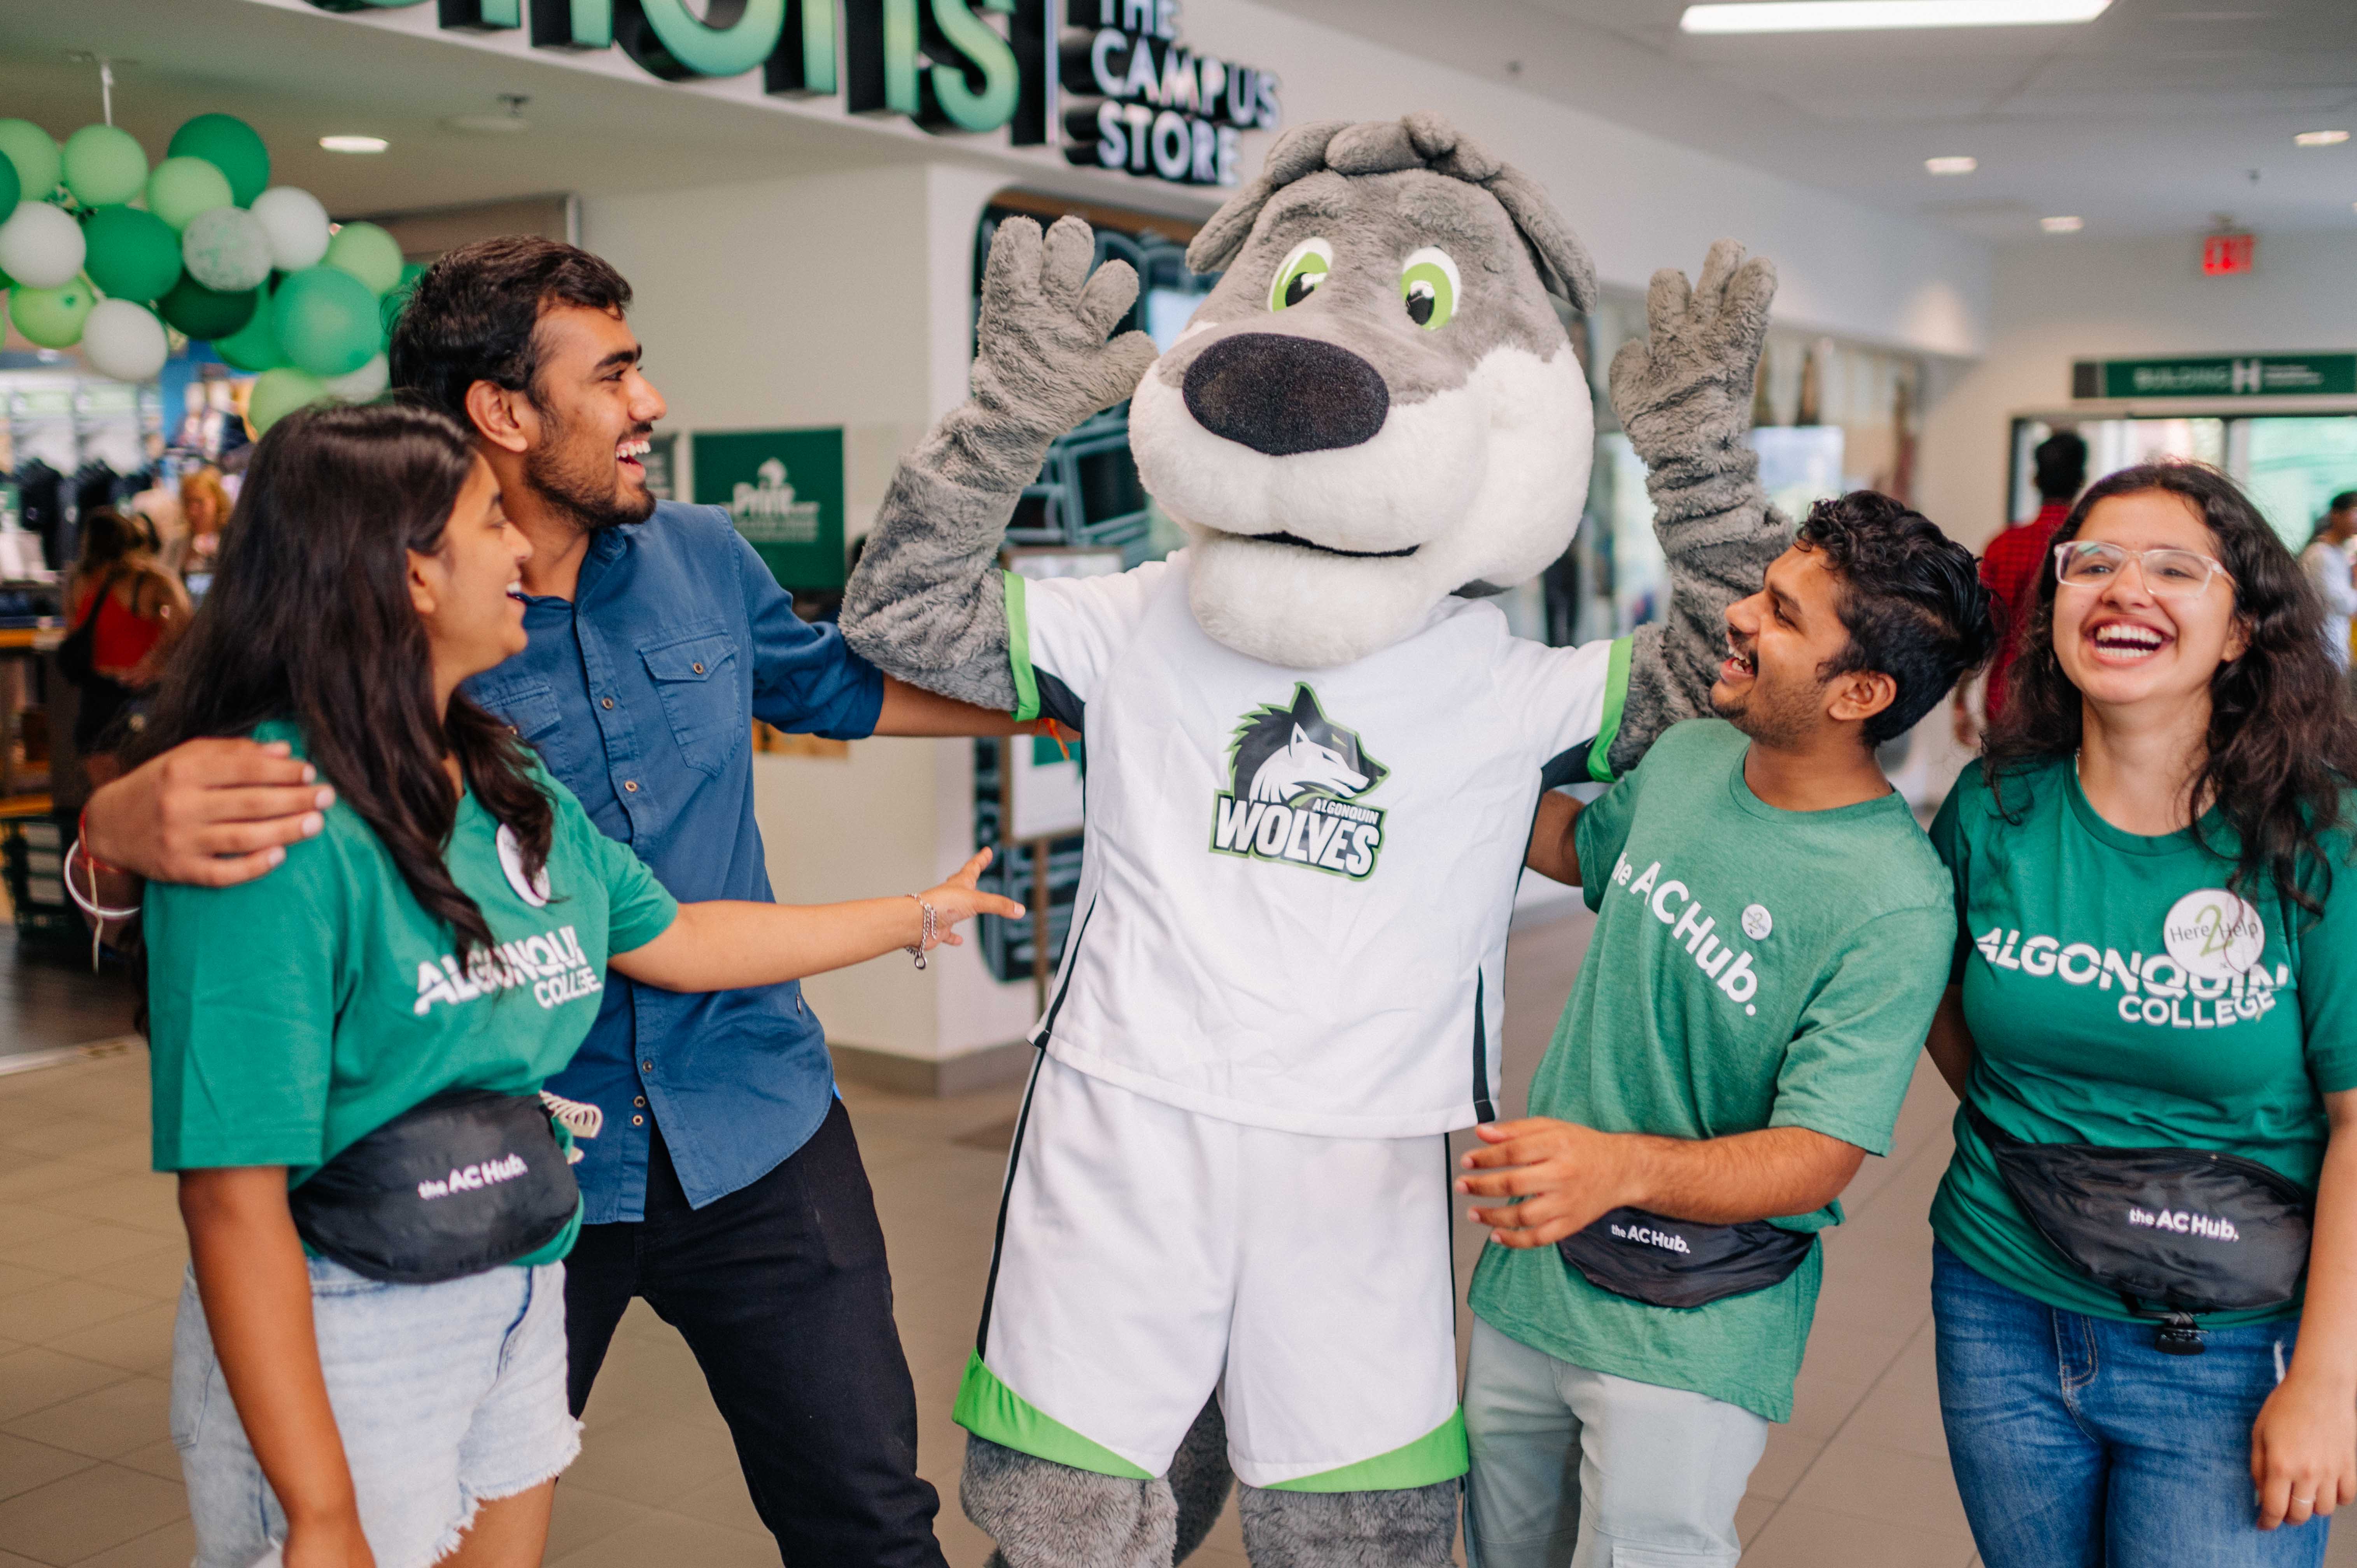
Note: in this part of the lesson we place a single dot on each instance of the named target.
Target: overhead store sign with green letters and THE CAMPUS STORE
(1151, 105)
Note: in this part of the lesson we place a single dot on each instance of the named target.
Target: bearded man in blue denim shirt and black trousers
(720, 1173)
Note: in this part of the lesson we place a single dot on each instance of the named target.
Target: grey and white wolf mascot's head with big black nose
(1378, 407)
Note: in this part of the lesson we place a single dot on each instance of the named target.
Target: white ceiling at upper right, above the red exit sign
(2151, 119)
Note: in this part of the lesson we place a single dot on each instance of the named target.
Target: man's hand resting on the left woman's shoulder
(206, 812)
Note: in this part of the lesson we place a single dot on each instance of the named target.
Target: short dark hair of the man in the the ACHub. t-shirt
(1910, 600)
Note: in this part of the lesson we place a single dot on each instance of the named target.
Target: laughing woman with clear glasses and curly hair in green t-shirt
(2158, 956)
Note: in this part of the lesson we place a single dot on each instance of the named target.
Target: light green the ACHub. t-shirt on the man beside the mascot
(1750, 968)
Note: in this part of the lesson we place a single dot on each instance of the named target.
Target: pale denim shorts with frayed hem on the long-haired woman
(447, 1397)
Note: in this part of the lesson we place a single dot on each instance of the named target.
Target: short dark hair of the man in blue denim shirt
(475, 317)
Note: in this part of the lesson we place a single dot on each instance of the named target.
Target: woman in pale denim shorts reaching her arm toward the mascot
(348, 1055)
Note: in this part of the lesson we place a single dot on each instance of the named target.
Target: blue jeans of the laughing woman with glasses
(2078, 1444)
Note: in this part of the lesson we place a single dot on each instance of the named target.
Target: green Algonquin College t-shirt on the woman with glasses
(2122, 996)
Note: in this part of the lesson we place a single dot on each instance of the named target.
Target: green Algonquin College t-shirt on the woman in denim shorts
(298, 1013)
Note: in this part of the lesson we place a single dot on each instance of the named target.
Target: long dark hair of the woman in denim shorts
(310, 619)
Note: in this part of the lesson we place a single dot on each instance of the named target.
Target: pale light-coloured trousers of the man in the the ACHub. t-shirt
(1590, 1470)
